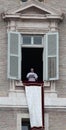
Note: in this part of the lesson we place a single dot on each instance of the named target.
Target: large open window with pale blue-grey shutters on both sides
(46, 58)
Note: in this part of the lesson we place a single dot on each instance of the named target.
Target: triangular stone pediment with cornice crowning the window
(33, 10)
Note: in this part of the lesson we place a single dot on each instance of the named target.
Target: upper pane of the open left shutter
(14, 43)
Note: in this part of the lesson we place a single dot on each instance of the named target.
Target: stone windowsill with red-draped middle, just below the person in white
(19, 87)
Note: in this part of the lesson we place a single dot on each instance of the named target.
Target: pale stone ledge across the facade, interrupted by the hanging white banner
(14, 100)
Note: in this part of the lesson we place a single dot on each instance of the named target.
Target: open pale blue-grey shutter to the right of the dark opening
(51, 56)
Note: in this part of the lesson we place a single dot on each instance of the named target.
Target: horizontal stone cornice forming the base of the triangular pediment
(32, 16)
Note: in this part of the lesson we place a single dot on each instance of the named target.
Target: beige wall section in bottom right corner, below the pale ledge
(57, 120)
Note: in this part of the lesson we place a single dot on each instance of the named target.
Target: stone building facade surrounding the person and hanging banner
(32, 34)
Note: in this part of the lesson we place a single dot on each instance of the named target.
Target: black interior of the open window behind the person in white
(32, 57)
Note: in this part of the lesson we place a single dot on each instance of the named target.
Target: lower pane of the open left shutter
(14, 66)
